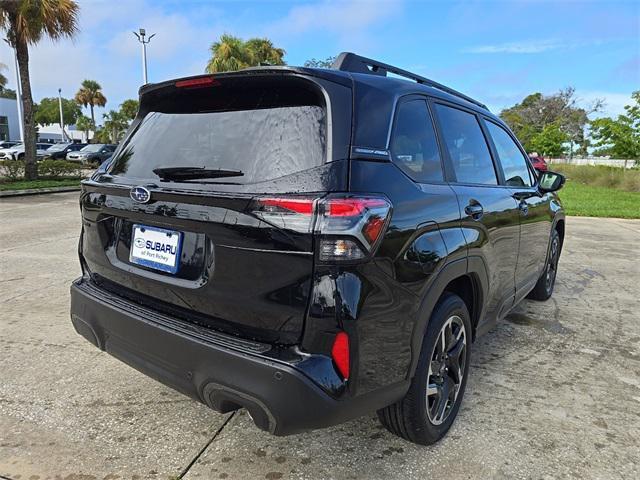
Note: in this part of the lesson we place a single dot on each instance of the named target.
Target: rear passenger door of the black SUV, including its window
(489, 212)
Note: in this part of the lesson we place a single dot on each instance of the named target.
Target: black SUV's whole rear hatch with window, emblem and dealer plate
(193, 214)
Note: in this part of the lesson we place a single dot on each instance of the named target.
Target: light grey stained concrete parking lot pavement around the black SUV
(554, 390)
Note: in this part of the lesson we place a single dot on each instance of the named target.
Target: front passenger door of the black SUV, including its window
(534, 208)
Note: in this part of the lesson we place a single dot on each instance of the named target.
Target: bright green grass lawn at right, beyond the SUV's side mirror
(592, 201)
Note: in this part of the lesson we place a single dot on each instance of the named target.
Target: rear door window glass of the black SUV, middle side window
(466, 145)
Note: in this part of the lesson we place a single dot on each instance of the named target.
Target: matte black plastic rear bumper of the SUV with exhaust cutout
(219, 371)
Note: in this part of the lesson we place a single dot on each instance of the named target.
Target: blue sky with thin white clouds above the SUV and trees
(497, 52)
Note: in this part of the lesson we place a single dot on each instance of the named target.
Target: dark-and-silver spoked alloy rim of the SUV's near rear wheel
(446, 370)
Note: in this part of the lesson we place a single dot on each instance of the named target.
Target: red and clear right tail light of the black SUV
(349, 227)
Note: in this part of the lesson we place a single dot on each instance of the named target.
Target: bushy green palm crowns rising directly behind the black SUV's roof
(232, 53)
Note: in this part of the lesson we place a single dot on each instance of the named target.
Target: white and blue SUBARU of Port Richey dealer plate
(156, 248)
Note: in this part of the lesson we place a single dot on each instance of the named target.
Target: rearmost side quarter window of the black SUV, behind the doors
(413, 143)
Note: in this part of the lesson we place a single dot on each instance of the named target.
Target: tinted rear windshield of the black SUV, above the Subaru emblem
(266, 137)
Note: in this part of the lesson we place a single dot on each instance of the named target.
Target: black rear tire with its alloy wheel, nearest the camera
(425, 416)
